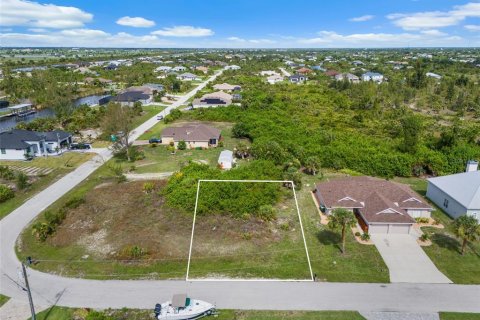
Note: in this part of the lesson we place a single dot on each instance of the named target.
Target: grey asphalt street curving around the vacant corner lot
(49, 289)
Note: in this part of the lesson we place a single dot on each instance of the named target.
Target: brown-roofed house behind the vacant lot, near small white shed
(194, 135)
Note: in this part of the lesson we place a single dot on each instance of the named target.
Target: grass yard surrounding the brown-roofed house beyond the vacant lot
(159, 159)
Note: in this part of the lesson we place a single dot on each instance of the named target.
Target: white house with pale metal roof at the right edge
(457, 194)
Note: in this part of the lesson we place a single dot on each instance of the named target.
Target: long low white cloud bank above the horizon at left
(82, 38)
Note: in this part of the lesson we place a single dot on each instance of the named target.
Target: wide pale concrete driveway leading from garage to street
(406, 261)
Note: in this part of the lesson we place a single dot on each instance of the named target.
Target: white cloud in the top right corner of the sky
(435, 19)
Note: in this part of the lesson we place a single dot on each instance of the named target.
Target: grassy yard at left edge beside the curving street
(61, 165)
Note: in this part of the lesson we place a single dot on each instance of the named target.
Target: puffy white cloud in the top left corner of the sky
(34, 14)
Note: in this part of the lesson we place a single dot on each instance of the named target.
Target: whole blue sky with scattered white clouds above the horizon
(240, 24)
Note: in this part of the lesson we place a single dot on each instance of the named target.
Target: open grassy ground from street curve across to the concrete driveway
(98, 240)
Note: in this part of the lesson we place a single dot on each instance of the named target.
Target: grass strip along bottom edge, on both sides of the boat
(60, 313)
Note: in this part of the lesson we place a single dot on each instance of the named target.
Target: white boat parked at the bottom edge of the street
(183, 308)
